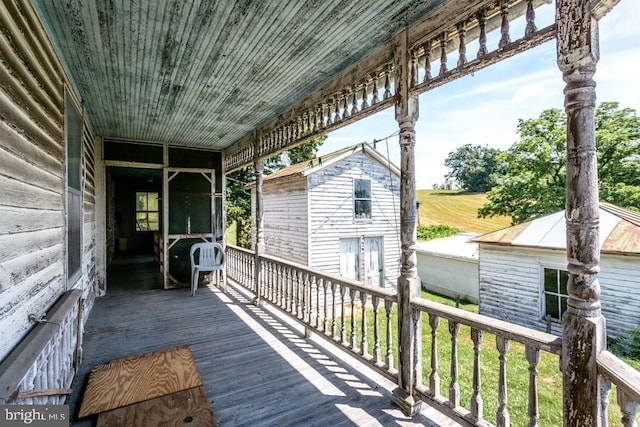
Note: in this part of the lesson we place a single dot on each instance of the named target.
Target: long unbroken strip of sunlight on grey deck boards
(306, 370)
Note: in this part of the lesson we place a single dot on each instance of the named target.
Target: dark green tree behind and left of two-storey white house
(239, 199)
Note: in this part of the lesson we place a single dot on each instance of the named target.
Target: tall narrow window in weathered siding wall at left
(73, 142)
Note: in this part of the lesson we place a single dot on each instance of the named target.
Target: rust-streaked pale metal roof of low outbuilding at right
(619, 232)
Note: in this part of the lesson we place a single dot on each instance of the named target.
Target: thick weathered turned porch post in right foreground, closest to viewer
(583, 326)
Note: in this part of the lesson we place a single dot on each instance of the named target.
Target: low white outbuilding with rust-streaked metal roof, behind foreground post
(522, 271)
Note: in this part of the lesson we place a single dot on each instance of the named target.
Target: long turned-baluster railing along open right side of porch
(359, 319)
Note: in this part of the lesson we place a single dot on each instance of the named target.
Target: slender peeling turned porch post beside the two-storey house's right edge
(410, 332)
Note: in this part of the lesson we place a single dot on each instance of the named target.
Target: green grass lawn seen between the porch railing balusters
(549, 378)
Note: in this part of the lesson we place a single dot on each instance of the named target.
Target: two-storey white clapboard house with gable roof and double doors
(338, 213)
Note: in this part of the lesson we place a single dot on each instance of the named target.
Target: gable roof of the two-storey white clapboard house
(312, 166)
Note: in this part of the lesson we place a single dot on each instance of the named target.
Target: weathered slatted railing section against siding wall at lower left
(40, 369)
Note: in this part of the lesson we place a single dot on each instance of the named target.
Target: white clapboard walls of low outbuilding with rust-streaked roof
(510, 287)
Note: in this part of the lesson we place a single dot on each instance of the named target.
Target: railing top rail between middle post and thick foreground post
(546, 342)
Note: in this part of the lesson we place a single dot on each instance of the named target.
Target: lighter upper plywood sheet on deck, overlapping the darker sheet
(136, 379)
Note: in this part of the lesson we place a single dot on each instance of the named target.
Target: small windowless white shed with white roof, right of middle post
(449, 266)
